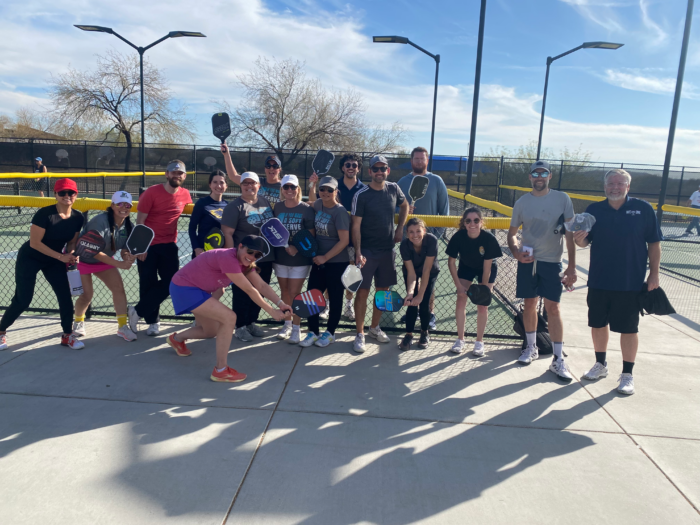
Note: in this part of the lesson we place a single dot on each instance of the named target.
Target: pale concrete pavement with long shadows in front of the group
(129, 433)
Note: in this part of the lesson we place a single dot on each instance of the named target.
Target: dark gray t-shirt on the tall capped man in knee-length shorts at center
(377, 207)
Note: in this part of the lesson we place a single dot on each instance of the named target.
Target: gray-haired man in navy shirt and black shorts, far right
(623, 237)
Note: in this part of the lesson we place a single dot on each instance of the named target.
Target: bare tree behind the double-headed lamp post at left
(108, 100)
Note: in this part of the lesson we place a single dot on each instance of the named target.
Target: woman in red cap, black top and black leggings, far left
(53, 228)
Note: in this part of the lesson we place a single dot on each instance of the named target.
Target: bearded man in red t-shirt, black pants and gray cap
(159, 208)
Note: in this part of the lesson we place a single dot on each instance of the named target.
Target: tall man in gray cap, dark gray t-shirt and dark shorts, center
(374, 236)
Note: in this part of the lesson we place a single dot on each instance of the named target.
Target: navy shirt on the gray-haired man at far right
(619, 241)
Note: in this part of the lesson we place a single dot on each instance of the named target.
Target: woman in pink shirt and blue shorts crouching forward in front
(197, 287)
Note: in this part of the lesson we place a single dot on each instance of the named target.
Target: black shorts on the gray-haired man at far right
(620, 310)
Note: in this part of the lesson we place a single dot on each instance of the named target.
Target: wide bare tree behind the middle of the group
(284, 111)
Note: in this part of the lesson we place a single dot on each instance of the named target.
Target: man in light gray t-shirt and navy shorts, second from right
(542, 213)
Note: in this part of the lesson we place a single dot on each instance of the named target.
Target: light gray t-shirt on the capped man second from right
(540, 217)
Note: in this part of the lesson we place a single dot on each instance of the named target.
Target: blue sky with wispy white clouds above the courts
(614, 104)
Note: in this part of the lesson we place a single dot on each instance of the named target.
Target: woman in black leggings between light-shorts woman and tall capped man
(332, 224)
